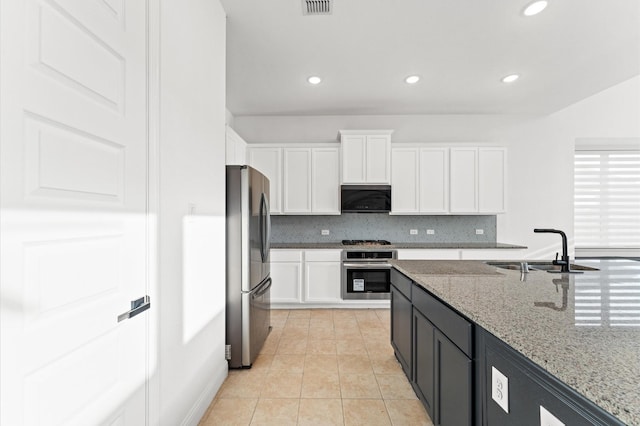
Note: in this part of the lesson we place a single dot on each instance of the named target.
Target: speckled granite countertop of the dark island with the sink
(571, 325)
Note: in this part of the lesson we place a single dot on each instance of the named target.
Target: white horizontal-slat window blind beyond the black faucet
(607, 199)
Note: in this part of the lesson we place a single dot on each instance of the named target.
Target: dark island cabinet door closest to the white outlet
(453, 384)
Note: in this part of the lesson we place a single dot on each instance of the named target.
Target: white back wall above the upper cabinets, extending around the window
(540, 158)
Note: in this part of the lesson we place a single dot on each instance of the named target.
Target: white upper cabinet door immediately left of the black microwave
(325, 181)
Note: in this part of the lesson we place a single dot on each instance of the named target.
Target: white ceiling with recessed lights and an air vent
(460, 48)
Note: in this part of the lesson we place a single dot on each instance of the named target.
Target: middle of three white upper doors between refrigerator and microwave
(296, 193)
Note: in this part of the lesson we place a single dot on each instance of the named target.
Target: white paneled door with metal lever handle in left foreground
(73, 212)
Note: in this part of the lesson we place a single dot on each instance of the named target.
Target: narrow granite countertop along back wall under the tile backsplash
(339, 245)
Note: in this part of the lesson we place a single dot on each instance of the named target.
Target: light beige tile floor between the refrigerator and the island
(321, 367)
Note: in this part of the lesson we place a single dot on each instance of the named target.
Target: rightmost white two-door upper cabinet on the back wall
(478, 180)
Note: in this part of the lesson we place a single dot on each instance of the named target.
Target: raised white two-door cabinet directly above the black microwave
(366, 156)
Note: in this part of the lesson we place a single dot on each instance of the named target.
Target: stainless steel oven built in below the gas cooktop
(366, 274)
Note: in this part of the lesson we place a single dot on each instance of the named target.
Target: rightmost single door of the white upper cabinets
(491, 180)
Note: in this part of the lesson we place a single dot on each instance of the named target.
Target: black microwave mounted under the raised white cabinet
(366, 198)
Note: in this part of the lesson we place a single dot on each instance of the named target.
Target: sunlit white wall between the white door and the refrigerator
(192, 208)
